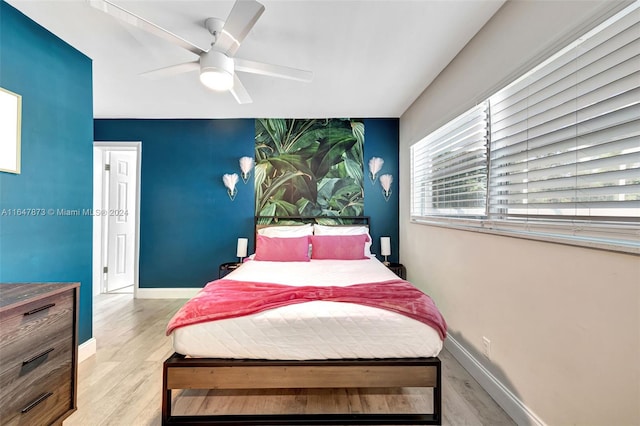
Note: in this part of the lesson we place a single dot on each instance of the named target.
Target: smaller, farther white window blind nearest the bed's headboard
(449, 168)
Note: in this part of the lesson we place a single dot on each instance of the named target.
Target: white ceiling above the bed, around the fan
(369, 58)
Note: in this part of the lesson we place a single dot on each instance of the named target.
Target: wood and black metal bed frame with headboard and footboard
(180, 372)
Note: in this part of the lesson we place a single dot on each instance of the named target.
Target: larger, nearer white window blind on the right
(565, 138)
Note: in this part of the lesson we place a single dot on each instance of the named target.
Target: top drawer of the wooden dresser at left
(34, 327)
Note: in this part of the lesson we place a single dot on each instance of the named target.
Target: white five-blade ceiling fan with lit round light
(217, 65)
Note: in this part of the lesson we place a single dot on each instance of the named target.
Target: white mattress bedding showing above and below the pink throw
(312, 330)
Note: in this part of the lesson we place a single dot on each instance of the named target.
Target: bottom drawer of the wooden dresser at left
(42, 404)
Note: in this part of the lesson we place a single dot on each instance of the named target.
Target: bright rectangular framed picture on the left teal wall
(10, 127)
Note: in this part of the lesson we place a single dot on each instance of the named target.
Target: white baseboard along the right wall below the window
(509, 402)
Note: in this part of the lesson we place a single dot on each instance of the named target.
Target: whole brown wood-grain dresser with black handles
(38, 352)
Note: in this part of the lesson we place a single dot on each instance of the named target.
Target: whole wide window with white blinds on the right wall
(555, 153)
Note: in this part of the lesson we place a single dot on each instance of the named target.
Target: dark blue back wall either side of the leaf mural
(188, 224)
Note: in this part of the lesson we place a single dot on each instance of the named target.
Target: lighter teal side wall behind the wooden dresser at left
(54, 79)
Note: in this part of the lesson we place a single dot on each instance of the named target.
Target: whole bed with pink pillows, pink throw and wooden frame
(331, 341)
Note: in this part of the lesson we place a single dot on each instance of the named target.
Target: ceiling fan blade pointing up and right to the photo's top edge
(241, 19)
